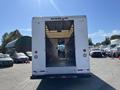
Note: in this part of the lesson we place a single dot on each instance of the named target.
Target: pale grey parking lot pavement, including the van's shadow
(105, 76)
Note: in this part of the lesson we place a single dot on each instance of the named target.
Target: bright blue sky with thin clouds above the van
(103, 16)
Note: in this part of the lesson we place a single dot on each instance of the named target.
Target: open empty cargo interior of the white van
(60, 43)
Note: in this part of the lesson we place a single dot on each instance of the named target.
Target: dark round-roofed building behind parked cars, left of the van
(22, 44)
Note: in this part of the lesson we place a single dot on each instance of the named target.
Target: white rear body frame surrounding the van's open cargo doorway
(38, 47)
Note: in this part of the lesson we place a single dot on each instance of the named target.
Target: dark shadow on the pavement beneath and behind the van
(91, 83)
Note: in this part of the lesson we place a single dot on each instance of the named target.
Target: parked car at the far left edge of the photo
(5, 60)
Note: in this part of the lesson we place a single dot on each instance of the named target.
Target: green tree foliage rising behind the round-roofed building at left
(6, 38)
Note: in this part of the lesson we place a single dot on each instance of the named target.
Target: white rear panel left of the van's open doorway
(38, 46)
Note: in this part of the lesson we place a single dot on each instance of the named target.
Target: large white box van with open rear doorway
(60, 47)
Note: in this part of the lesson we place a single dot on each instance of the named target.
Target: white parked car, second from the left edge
(20, 58)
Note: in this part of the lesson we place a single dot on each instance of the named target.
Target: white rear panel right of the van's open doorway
(81, 44)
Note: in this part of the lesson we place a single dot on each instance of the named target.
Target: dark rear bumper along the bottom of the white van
(86, 75)
